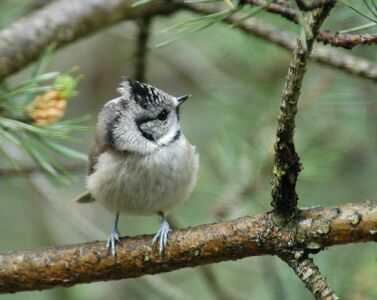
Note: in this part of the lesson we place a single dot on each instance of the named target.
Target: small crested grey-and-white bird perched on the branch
(140, 162)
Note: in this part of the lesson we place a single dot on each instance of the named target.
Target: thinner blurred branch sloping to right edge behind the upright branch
(329, 57)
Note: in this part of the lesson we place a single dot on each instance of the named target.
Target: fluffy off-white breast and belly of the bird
(145, 185)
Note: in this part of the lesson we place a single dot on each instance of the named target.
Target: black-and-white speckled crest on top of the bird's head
(143, 94)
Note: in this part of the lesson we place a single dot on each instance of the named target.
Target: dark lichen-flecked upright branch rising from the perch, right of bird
(287, 162)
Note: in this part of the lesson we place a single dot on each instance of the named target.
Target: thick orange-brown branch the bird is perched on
(312, 230)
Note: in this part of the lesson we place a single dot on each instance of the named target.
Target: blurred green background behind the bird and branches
(236, 81)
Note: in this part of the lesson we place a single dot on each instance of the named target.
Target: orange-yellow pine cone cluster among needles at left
(47, 108)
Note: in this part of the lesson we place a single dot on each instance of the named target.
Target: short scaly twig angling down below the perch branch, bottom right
(308, 272)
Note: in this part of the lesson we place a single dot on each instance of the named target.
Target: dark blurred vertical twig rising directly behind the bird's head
(144, 25)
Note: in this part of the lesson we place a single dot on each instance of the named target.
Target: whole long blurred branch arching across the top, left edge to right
(65, 21)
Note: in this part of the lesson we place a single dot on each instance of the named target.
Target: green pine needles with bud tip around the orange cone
(42, 143)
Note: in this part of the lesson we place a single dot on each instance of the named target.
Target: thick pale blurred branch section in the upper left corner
(63, 22)
